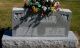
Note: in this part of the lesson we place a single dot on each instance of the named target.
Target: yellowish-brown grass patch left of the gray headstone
(6, 11)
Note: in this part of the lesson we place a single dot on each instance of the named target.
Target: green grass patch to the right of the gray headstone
(74, 6)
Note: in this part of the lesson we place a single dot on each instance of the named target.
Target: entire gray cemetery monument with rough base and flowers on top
(41, 24)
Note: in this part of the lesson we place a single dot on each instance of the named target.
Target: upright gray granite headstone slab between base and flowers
(56, 24)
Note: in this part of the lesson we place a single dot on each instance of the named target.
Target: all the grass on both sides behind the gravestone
(6, 11)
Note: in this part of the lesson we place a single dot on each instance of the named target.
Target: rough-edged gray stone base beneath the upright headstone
(40, 42)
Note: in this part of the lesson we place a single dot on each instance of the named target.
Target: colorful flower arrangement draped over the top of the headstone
(44, 7)
